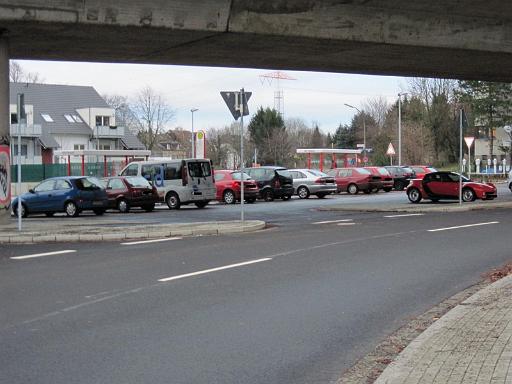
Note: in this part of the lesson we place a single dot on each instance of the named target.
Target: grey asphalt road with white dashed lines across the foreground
(297, 303)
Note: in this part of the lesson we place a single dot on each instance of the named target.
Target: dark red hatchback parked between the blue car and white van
(125, 192)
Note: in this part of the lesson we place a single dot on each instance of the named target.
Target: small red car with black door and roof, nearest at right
(437, 186)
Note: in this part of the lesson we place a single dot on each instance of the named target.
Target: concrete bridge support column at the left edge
(5, 155)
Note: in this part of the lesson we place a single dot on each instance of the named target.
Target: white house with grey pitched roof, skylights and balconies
(64, 117)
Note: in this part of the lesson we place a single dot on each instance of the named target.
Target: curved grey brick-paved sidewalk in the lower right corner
(472, 343)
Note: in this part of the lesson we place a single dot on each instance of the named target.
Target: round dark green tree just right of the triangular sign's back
(268, 133)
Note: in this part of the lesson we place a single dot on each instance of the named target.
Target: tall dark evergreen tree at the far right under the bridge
(490, 103)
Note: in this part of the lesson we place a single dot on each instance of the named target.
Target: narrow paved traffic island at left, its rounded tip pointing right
(74, 230)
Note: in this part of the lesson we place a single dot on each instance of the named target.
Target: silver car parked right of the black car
(308, 182)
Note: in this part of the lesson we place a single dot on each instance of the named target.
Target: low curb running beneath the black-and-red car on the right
(418, 208)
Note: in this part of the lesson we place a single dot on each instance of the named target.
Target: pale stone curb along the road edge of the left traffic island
(204, 229)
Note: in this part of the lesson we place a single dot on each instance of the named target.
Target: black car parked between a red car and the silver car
(273, 182)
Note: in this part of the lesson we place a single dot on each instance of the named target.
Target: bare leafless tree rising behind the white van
(152, 116)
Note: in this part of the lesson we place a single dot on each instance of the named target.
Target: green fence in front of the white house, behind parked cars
(37, 172)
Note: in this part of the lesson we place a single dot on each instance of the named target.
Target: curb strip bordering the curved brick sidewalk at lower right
(400, 368)
